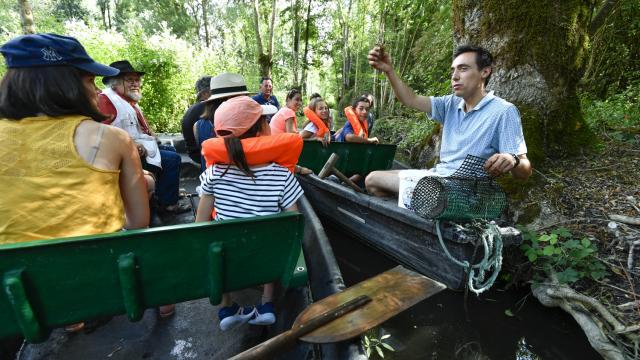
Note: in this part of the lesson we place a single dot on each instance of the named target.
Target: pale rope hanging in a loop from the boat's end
(492, 259)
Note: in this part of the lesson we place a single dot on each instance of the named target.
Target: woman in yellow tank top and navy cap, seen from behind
(66, 173)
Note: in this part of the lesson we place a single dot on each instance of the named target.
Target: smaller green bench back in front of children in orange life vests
(354, 158)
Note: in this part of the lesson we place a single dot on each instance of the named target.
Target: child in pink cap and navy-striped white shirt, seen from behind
(238, 190)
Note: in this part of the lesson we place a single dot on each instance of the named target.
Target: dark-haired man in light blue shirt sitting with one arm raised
(474, 121)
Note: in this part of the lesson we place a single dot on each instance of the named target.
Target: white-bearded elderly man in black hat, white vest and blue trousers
(120, 100)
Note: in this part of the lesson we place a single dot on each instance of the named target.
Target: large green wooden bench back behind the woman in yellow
(50, 283)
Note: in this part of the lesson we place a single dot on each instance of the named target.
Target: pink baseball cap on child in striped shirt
(237, 115)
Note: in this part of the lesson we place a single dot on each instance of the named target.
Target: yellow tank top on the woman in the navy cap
(48, 190)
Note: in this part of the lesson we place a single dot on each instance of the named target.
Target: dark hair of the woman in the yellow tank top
(49, 90)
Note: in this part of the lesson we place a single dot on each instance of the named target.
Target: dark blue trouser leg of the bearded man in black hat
(168, 184)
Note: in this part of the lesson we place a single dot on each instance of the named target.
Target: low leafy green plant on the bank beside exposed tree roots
(559, 253)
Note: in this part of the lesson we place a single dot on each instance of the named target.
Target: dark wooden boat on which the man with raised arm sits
(396, 232)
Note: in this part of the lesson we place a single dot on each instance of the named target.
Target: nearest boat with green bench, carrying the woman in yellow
(48, 284)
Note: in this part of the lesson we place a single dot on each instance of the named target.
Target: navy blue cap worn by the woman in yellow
(51, 50)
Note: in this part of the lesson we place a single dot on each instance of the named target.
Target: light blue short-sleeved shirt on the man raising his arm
(492, 126)
